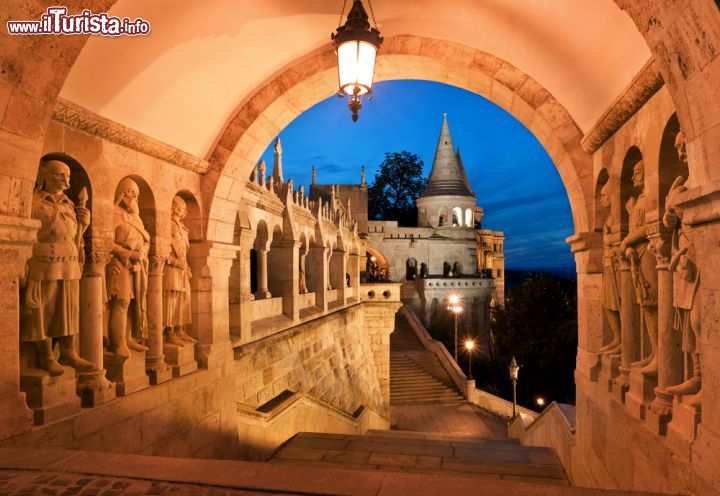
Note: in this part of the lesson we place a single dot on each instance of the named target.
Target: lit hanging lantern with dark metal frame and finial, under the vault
(356, 45)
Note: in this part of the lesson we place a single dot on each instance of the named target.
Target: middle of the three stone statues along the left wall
(127, 274)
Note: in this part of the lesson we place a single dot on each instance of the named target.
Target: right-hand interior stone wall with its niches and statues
(654, 385)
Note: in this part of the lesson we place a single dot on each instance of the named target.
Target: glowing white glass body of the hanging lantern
(356, 66)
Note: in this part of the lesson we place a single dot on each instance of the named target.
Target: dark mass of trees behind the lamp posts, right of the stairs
(538, 325)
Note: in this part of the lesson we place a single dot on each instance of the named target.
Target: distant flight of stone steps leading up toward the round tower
(416, 375)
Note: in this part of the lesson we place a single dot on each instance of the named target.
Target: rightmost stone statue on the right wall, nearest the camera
(686, 283)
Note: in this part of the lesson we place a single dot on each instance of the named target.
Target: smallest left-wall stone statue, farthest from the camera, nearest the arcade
(177, 314)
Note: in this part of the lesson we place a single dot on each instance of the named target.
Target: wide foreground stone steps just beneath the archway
(405, 451)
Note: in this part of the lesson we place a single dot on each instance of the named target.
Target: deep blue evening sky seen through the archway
(513, 178)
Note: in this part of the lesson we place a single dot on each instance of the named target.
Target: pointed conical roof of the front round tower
(447, 177)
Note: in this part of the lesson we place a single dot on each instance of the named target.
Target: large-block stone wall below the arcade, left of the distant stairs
(329, 358)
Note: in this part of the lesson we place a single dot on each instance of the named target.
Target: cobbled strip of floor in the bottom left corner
(33, 483)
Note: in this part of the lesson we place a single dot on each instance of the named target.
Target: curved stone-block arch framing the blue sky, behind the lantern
(261, 117)
